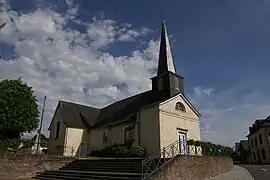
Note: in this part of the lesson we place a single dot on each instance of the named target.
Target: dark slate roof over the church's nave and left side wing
(81, 116)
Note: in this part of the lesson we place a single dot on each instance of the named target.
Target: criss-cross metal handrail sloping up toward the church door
(169, 154)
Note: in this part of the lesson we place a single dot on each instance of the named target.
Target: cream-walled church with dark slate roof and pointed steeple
(153, 119)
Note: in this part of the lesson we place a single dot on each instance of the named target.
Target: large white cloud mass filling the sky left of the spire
(66, 64)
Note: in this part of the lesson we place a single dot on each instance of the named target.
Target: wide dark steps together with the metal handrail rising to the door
(113, 169)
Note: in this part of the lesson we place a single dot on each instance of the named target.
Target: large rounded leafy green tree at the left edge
(18, 109)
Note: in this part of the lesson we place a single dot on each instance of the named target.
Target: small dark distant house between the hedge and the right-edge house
(242, 148)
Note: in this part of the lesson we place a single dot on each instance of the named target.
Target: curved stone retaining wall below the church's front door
(193, 168)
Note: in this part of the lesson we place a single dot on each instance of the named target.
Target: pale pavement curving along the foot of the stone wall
(237, 173)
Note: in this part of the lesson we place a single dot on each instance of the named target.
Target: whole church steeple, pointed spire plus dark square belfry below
(167, 83)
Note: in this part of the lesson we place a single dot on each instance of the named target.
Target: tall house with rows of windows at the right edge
(259, 140)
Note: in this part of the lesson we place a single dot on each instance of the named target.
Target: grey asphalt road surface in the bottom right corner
(256, 172)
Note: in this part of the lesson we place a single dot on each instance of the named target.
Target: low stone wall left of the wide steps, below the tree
(25, 167)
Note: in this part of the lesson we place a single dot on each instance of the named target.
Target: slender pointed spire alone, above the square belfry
(165, 62)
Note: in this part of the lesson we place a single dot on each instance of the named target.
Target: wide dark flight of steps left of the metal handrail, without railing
(100, 169)
